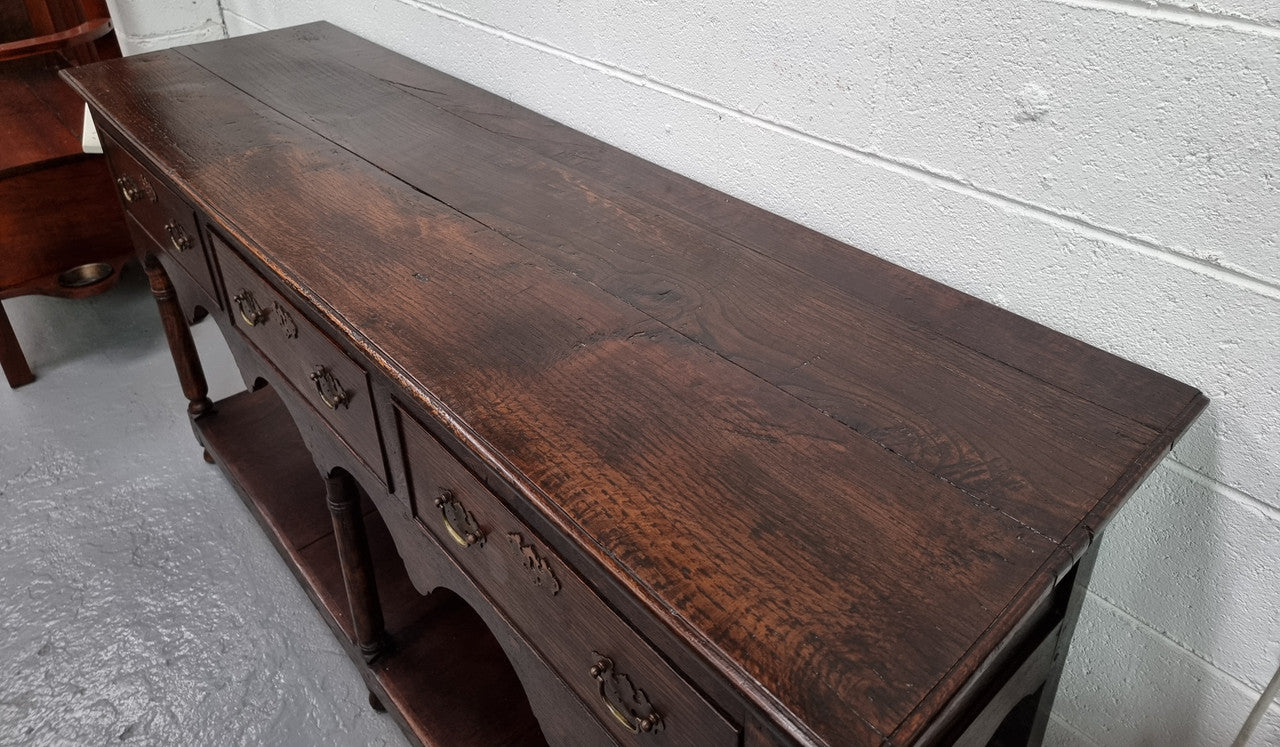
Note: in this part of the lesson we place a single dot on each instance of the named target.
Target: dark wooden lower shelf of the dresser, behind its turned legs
(446, 680)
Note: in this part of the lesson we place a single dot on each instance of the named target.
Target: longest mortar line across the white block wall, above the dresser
(1227, 274)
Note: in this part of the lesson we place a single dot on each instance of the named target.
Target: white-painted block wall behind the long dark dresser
(1109, 168)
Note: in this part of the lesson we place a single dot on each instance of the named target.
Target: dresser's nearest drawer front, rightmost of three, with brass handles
(616, 673)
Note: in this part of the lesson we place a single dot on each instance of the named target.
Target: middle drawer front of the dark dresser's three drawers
(314, 366)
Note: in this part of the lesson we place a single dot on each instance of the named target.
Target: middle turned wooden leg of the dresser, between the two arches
(358, 567)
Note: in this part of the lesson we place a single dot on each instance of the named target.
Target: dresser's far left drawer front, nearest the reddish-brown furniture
(163, 216)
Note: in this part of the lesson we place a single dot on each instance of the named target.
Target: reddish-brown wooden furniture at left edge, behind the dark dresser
(62, 231)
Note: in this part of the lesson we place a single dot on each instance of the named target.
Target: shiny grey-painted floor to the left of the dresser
(140, 603)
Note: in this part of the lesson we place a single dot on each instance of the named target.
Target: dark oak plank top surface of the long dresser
(840, 483)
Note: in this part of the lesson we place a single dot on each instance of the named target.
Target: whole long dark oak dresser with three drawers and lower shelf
(570, 450)
